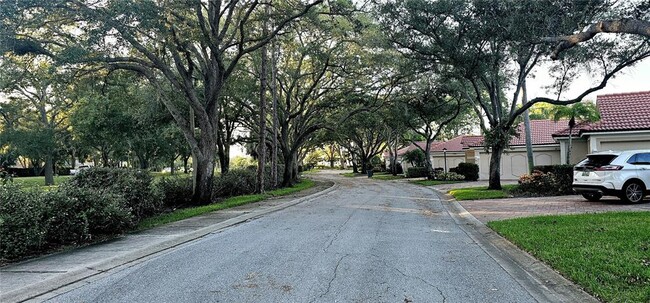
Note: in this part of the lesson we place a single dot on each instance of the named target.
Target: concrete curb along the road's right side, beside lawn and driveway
(540, 280)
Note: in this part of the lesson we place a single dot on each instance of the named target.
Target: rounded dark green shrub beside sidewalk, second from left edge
(76, 214)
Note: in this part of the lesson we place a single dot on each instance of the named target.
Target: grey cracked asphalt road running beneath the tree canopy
(367, 241)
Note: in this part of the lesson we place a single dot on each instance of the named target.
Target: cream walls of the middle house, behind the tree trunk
(514, 162)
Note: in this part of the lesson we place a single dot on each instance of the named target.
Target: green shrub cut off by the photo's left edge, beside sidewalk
(21, 217)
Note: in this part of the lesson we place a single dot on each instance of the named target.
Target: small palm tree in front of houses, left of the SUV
(582, 111)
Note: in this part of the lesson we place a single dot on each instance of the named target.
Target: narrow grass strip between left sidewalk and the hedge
(185, 213)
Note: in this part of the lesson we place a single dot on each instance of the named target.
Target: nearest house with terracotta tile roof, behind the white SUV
(624, 125)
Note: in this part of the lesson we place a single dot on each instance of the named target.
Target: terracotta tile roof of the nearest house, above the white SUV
(618, 112)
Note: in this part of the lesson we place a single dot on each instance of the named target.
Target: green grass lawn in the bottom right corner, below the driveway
(607, 254)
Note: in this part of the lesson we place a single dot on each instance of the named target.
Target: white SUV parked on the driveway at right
(625, 174)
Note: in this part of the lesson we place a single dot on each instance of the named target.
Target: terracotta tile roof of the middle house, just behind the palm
(541, 133)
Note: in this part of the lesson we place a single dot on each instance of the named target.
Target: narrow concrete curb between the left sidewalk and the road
(76, 275)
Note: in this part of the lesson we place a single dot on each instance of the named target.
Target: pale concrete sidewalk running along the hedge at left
(32, 278)
